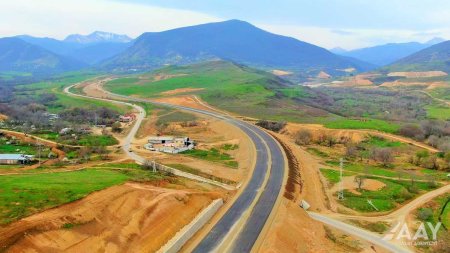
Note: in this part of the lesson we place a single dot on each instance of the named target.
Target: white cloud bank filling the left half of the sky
(58, 18)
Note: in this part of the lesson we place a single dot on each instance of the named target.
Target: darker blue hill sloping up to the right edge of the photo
(433, 58)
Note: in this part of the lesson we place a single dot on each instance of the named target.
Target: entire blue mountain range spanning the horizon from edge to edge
(232, 40)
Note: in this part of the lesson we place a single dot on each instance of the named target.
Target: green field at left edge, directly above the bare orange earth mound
(23, 195)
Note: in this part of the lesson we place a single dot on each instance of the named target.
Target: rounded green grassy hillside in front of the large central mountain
(231, 87)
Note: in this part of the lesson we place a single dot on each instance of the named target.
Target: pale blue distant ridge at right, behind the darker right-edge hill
(386, 54)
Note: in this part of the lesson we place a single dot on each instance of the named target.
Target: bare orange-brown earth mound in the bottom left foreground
(127, 218)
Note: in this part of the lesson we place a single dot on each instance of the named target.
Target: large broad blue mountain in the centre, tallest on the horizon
(232, 40)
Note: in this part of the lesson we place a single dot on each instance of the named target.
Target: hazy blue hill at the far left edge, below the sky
(18, 55)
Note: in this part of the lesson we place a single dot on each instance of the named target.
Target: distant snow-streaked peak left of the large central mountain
(97, 37)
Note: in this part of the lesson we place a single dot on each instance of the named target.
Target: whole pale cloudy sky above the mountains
(327, 23)
